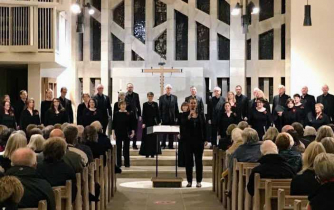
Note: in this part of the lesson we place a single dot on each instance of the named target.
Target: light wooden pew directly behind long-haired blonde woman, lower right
(286, 202)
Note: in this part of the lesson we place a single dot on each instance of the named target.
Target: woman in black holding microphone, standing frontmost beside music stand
(194, 143)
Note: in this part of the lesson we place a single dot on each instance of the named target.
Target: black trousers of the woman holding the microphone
(194, 149)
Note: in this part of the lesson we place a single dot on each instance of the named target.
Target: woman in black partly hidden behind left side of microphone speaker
(183, 117)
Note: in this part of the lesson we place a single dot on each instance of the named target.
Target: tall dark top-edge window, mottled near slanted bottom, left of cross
(139, 20)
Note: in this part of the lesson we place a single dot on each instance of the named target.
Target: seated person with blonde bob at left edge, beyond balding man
(15, 141)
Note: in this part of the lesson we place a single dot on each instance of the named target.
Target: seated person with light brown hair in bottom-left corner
(11, 192)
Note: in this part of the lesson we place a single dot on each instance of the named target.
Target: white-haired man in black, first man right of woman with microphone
(215, 107)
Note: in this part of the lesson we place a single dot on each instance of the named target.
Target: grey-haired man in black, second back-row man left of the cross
(103, 104)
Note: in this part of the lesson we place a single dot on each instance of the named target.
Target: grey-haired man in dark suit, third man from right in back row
(279, 105)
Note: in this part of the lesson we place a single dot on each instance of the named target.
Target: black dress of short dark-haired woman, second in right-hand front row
(260, 121)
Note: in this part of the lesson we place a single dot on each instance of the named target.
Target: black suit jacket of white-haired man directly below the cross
(169, 110)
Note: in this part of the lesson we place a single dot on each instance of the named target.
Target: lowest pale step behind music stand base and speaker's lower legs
(164, 172)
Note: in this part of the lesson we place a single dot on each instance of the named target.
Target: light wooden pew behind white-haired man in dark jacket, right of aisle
(259, 190)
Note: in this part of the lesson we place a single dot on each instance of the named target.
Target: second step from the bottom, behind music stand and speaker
(163, 161)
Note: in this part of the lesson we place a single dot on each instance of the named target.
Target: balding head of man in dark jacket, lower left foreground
(24, 157)
